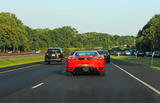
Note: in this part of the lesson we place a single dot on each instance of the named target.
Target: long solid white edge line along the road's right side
(144, 83)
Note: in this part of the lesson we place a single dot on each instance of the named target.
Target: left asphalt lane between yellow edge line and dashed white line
(11, 82)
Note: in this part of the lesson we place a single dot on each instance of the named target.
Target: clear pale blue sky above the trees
(123, 17)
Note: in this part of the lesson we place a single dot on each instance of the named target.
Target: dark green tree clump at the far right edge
(148, 39)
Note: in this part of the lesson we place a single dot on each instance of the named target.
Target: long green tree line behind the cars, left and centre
(17, 37)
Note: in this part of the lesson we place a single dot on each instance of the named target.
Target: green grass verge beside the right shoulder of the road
(140, 60)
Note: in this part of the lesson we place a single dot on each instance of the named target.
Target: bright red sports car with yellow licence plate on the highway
(86, 61)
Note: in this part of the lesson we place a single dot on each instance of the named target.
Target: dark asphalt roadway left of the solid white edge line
(48, 84)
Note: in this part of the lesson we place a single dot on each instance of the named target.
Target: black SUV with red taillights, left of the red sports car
(54, 54)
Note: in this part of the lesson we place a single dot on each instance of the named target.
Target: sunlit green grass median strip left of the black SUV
(18, 61)
